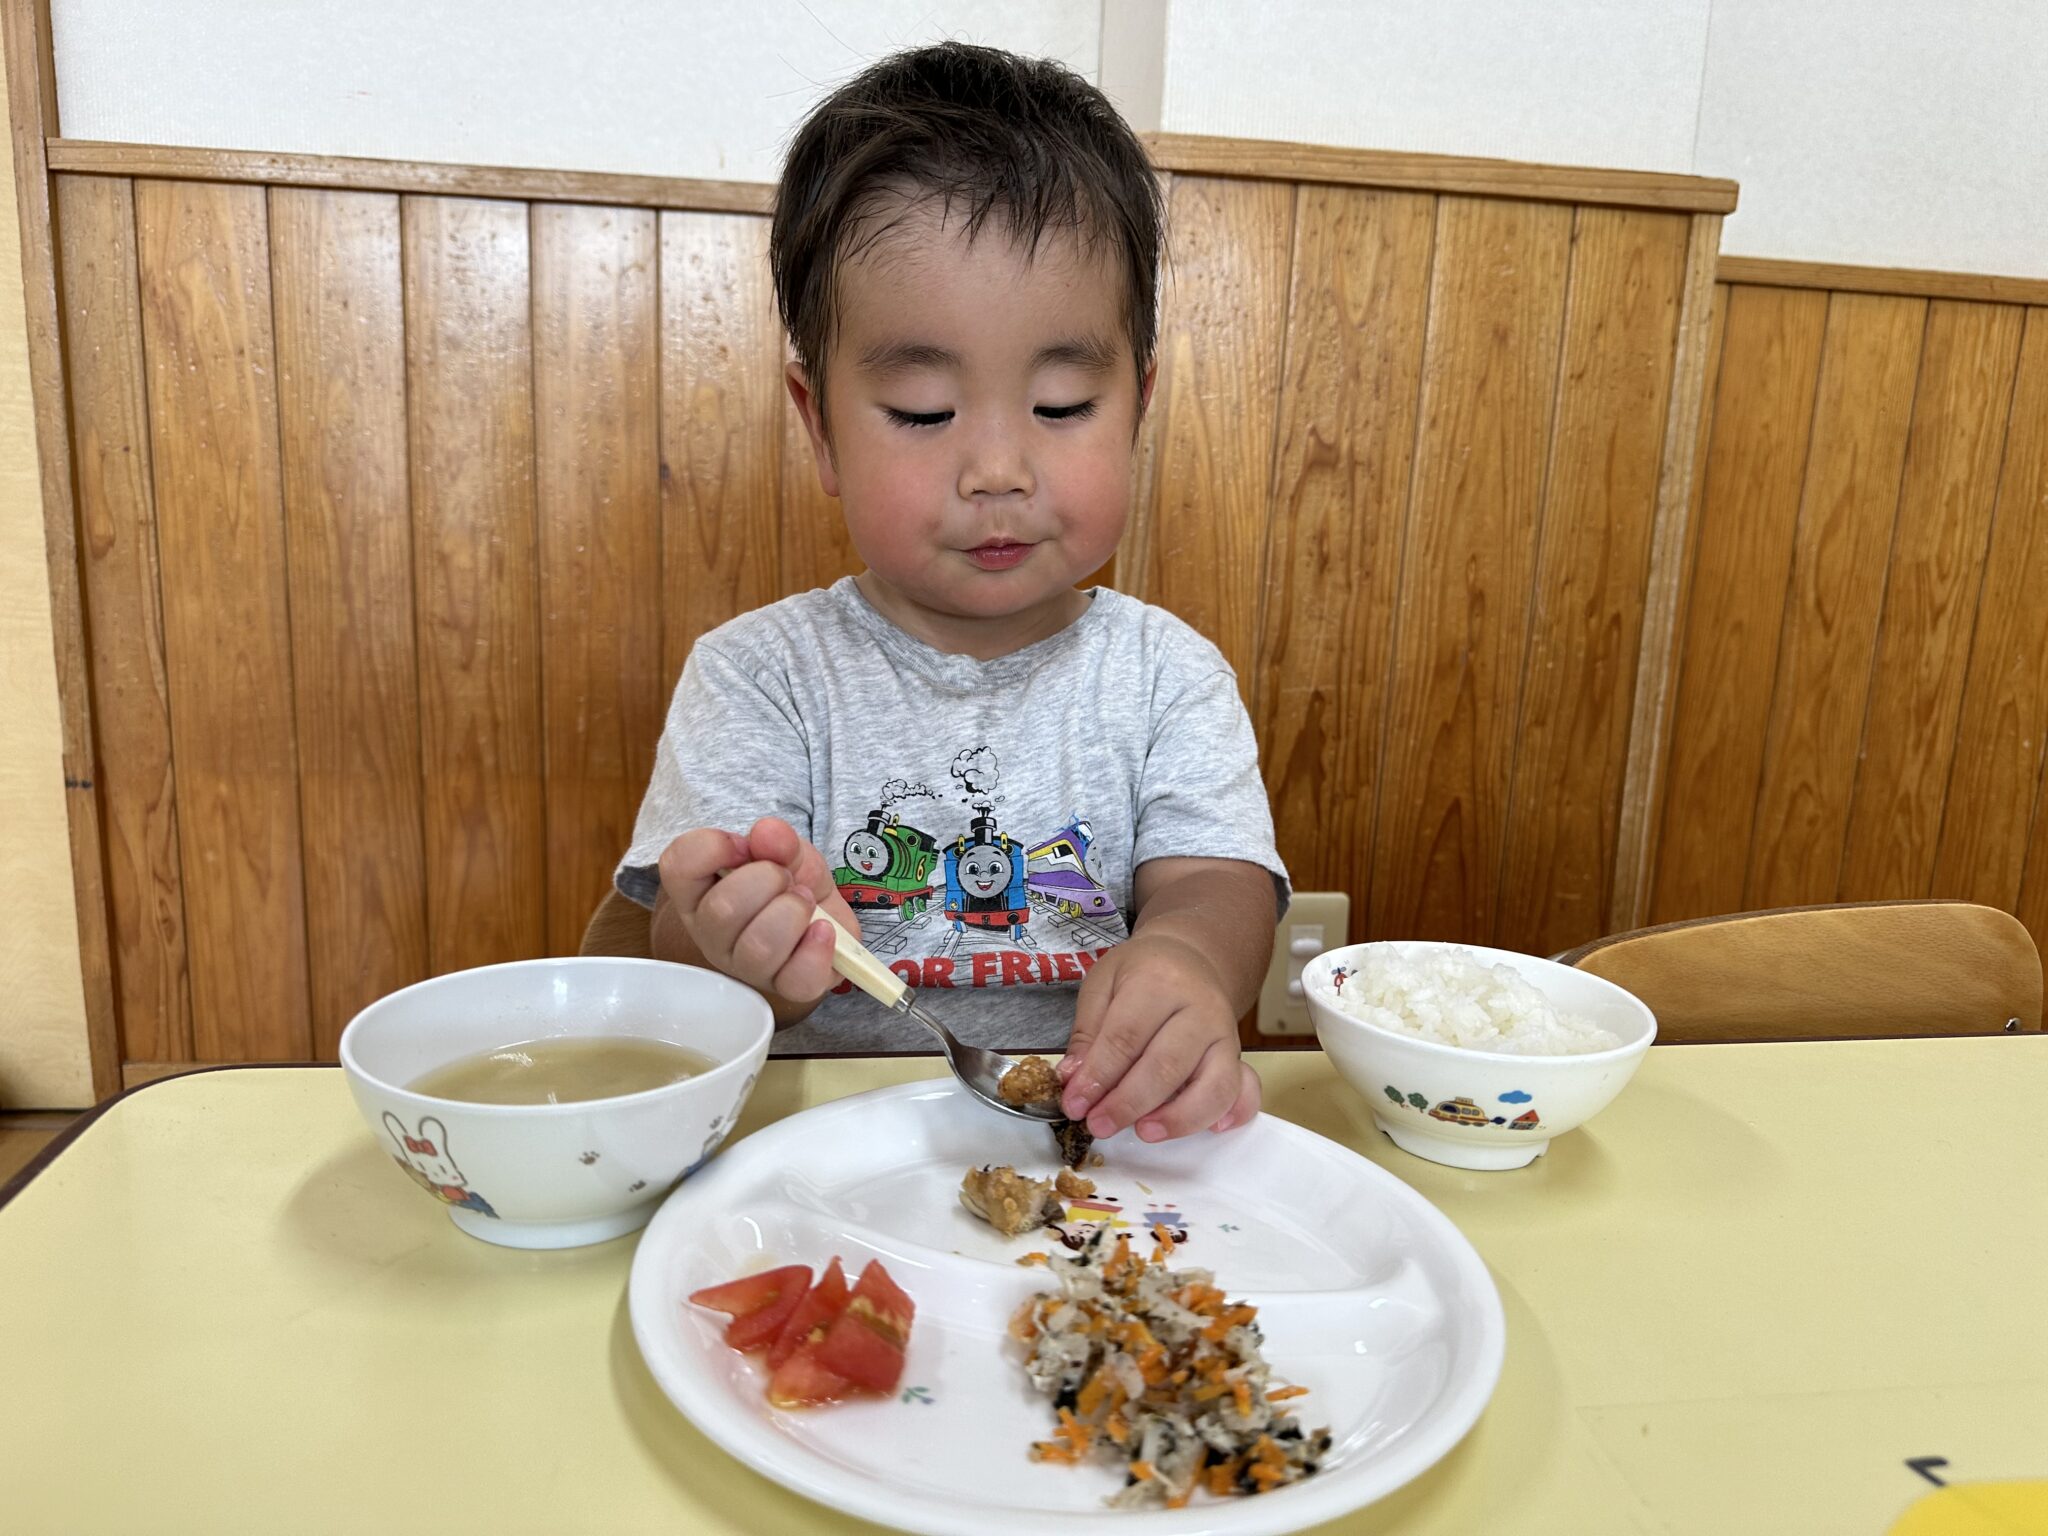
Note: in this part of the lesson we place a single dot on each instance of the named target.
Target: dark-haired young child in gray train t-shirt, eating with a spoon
(957, 753)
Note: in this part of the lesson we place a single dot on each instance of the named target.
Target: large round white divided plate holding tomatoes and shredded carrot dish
(1367, 1295)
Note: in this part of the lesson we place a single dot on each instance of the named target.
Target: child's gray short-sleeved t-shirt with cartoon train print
(982, 818)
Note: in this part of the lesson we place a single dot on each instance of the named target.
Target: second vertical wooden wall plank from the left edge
(214, 443)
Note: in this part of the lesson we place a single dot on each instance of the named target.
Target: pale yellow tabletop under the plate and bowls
(1744, 1299)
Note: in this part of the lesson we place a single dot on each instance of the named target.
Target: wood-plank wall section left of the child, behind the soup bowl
(400, 519)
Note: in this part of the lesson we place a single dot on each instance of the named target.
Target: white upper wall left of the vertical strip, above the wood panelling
(658, 87)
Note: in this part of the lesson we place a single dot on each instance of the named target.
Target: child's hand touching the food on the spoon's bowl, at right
(1156, 1046)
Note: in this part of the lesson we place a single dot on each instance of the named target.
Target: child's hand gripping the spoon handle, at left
(746, 904)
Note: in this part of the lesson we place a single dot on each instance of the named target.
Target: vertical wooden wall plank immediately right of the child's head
(1201, 540)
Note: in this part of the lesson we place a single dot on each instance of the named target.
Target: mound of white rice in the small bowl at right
(1455, 998)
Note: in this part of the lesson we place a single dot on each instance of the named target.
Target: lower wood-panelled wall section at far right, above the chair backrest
(1863, 687)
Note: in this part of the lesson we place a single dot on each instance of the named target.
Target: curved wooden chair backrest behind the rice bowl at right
(1865, 970)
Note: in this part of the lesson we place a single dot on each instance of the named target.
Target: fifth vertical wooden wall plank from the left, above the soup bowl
(597, 456)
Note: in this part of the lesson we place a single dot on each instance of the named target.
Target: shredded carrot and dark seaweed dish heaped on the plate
(1158, 1371)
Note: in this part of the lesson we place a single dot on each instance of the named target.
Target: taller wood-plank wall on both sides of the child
(402, 511)
